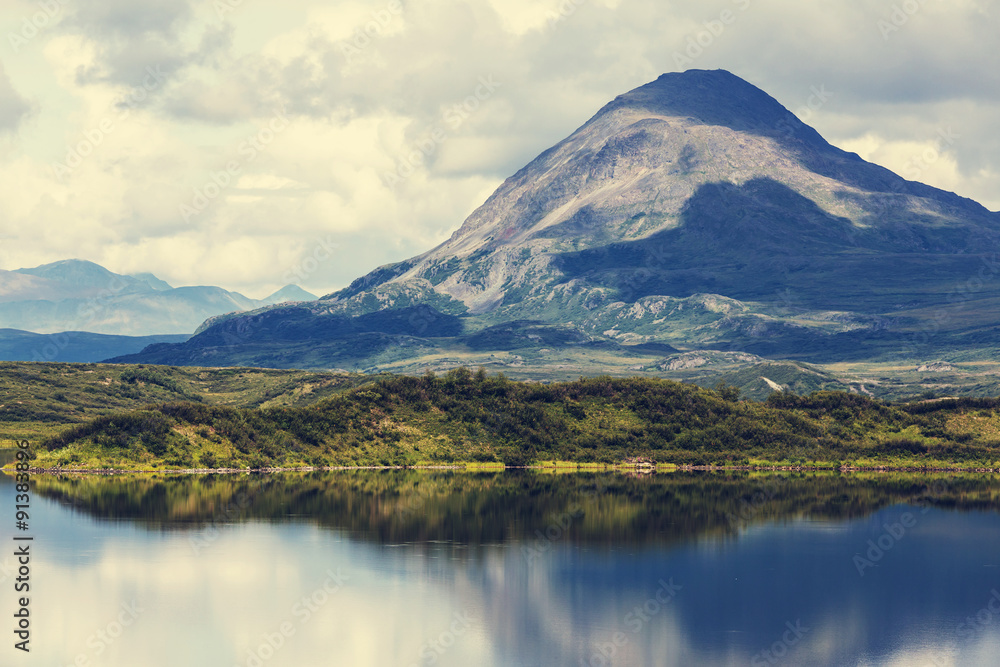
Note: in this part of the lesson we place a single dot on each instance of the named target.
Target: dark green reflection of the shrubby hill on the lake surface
(472, 509)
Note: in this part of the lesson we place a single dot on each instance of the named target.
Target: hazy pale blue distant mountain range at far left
(76, 295)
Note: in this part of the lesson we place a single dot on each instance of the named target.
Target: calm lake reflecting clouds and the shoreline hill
(515, 568)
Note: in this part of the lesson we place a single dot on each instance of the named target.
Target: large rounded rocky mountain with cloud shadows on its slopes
(694, 212)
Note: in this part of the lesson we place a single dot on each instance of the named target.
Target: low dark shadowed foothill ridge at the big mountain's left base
(394, 339)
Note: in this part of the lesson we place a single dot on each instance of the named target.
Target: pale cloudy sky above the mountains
(250, 143)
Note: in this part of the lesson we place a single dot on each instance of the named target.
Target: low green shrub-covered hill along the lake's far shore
(466, 417)
